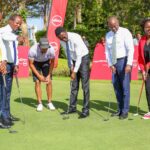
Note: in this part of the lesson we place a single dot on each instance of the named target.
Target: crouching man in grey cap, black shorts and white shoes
(41, 59)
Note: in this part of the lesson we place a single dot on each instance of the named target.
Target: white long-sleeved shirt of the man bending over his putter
(77, 49)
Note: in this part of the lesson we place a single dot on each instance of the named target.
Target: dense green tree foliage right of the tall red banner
(94, 14)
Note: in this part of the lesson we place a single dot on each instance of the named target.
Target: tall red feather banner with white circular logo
(57, 15)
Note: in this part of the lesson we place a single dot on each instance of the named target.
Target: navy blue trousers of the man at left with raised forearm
(5, 93)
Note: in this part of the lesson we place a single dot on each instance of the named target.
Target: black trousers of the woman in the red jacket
(147, 89)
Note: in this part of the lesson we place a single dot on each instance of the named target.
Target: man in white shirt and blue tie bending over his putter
(78, 61)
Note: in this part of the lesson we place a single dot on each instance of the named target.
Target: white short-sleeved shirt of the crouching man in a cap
(36, 54)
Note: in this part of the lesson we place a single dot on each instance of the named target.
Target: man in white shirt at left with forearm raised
(10, 40)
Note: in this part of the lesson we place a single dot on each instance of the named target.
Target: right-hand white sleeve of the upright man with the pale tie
(129, 47)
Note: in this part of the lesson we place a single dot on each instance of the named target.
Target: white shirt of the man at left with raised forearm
(9, 37)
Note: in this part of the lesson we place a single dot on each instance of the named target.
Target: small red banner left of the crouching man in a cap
(23, 61)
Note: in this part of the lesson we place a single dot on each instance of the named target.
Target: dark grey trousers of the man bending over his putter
(83, 74)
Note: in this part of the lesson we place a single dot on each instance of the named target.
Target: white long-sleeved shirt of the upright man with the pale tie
(124, 45)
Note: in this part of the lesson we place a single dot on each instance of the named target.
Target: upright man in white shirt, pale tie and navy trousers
(119, 54)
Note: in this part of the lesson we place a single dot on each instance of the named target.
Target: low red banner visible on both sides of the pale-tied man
(100, 69)
